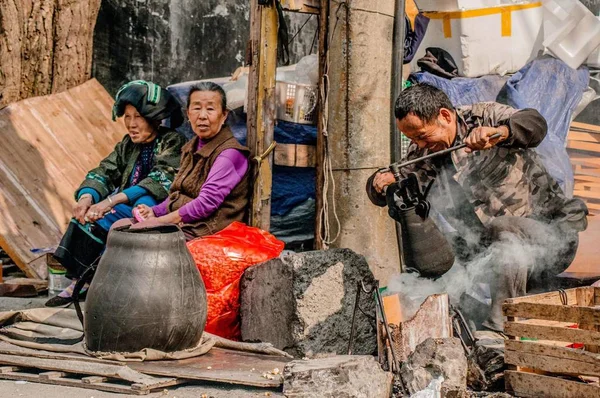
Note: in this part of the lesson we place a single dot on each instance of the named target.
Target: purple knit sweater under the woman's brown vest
(227, 171)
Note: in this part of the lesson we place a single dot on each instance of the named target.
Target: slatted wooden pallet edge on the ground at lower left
(88, 382)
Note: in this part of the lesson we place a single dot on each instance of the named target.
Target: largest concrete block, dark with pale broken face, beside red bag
(303, 303)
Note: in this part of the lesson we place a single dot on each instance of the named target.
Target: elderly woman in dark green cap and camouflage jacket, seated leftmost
(139, 171)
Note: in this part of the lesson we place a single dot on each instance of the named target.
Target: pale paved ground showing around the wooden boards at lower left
(14, 389)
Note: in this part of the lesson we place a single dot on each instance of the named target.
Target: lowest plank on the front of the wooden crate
(530, 385)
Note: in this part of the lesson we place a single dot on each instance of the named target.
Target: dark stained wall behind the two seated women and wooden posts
(170, 41)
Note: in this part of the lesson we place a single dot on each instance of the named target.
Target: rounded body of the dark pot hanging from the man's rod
(424, 247)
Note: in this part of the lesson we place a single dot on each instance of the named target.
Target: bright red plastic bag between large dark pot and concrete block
(221, 259)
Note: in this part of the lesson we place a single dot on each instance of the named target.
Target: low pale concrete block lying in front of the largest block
(343, 376)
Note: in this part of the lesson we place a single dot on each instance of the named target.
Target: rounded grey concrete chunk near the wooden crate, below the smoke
(433, 358)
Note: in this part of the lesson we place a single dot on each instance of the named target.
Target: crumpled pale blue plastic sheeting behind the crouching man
(545, 84)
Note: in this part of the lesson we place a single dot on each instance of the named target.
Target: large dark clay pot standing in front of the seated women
(146, 293)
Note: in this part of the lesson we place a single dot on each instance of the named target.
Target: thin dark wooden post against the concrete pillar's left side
(320, 156)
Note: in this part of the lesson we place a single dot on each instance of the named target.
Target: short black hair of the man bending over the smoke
(423, 100)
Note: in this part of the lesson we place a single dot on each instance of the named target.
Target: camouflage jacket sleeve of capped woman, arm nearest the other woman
(168, 156)
